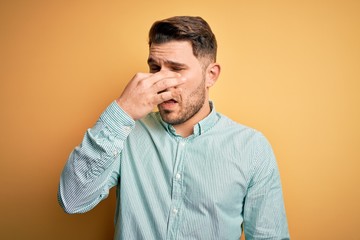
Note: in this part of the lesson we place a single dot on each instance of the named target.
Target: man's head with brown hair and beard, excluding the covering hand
(185, 45)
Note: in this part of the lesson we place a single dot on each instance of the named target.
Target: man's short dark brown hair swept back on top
(186, 28)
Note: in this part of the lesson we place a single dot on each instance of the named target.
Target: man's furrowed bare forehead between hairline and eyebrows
(173, 50)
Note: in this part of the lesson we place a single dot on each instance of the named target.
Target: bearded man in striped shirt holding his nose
(186, 171)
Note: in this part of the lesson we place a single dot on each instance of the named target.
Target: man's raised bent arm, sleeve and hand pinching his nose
(94, 166)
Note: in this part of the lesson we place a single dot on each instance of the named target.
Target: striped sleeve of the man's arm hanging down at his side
(264, 211)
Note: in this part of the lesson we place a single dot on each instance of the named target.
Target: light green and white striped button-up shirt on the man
(211, 185)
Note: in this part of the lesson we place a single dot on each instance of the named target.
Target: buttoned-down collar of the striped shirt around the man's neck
(200, 128)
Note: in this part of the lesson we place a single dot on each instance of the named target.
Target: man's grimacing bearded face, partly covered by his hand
(178, 56)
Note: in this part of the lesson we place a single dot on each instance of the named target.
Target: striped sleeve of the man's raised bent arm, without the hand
(93, 167)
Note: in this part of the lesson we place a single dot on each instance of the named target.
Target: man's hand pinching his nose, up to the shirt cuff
(147, 90)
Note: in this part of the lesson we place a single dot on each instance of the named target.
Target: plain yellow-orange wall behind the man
(289, 68)
